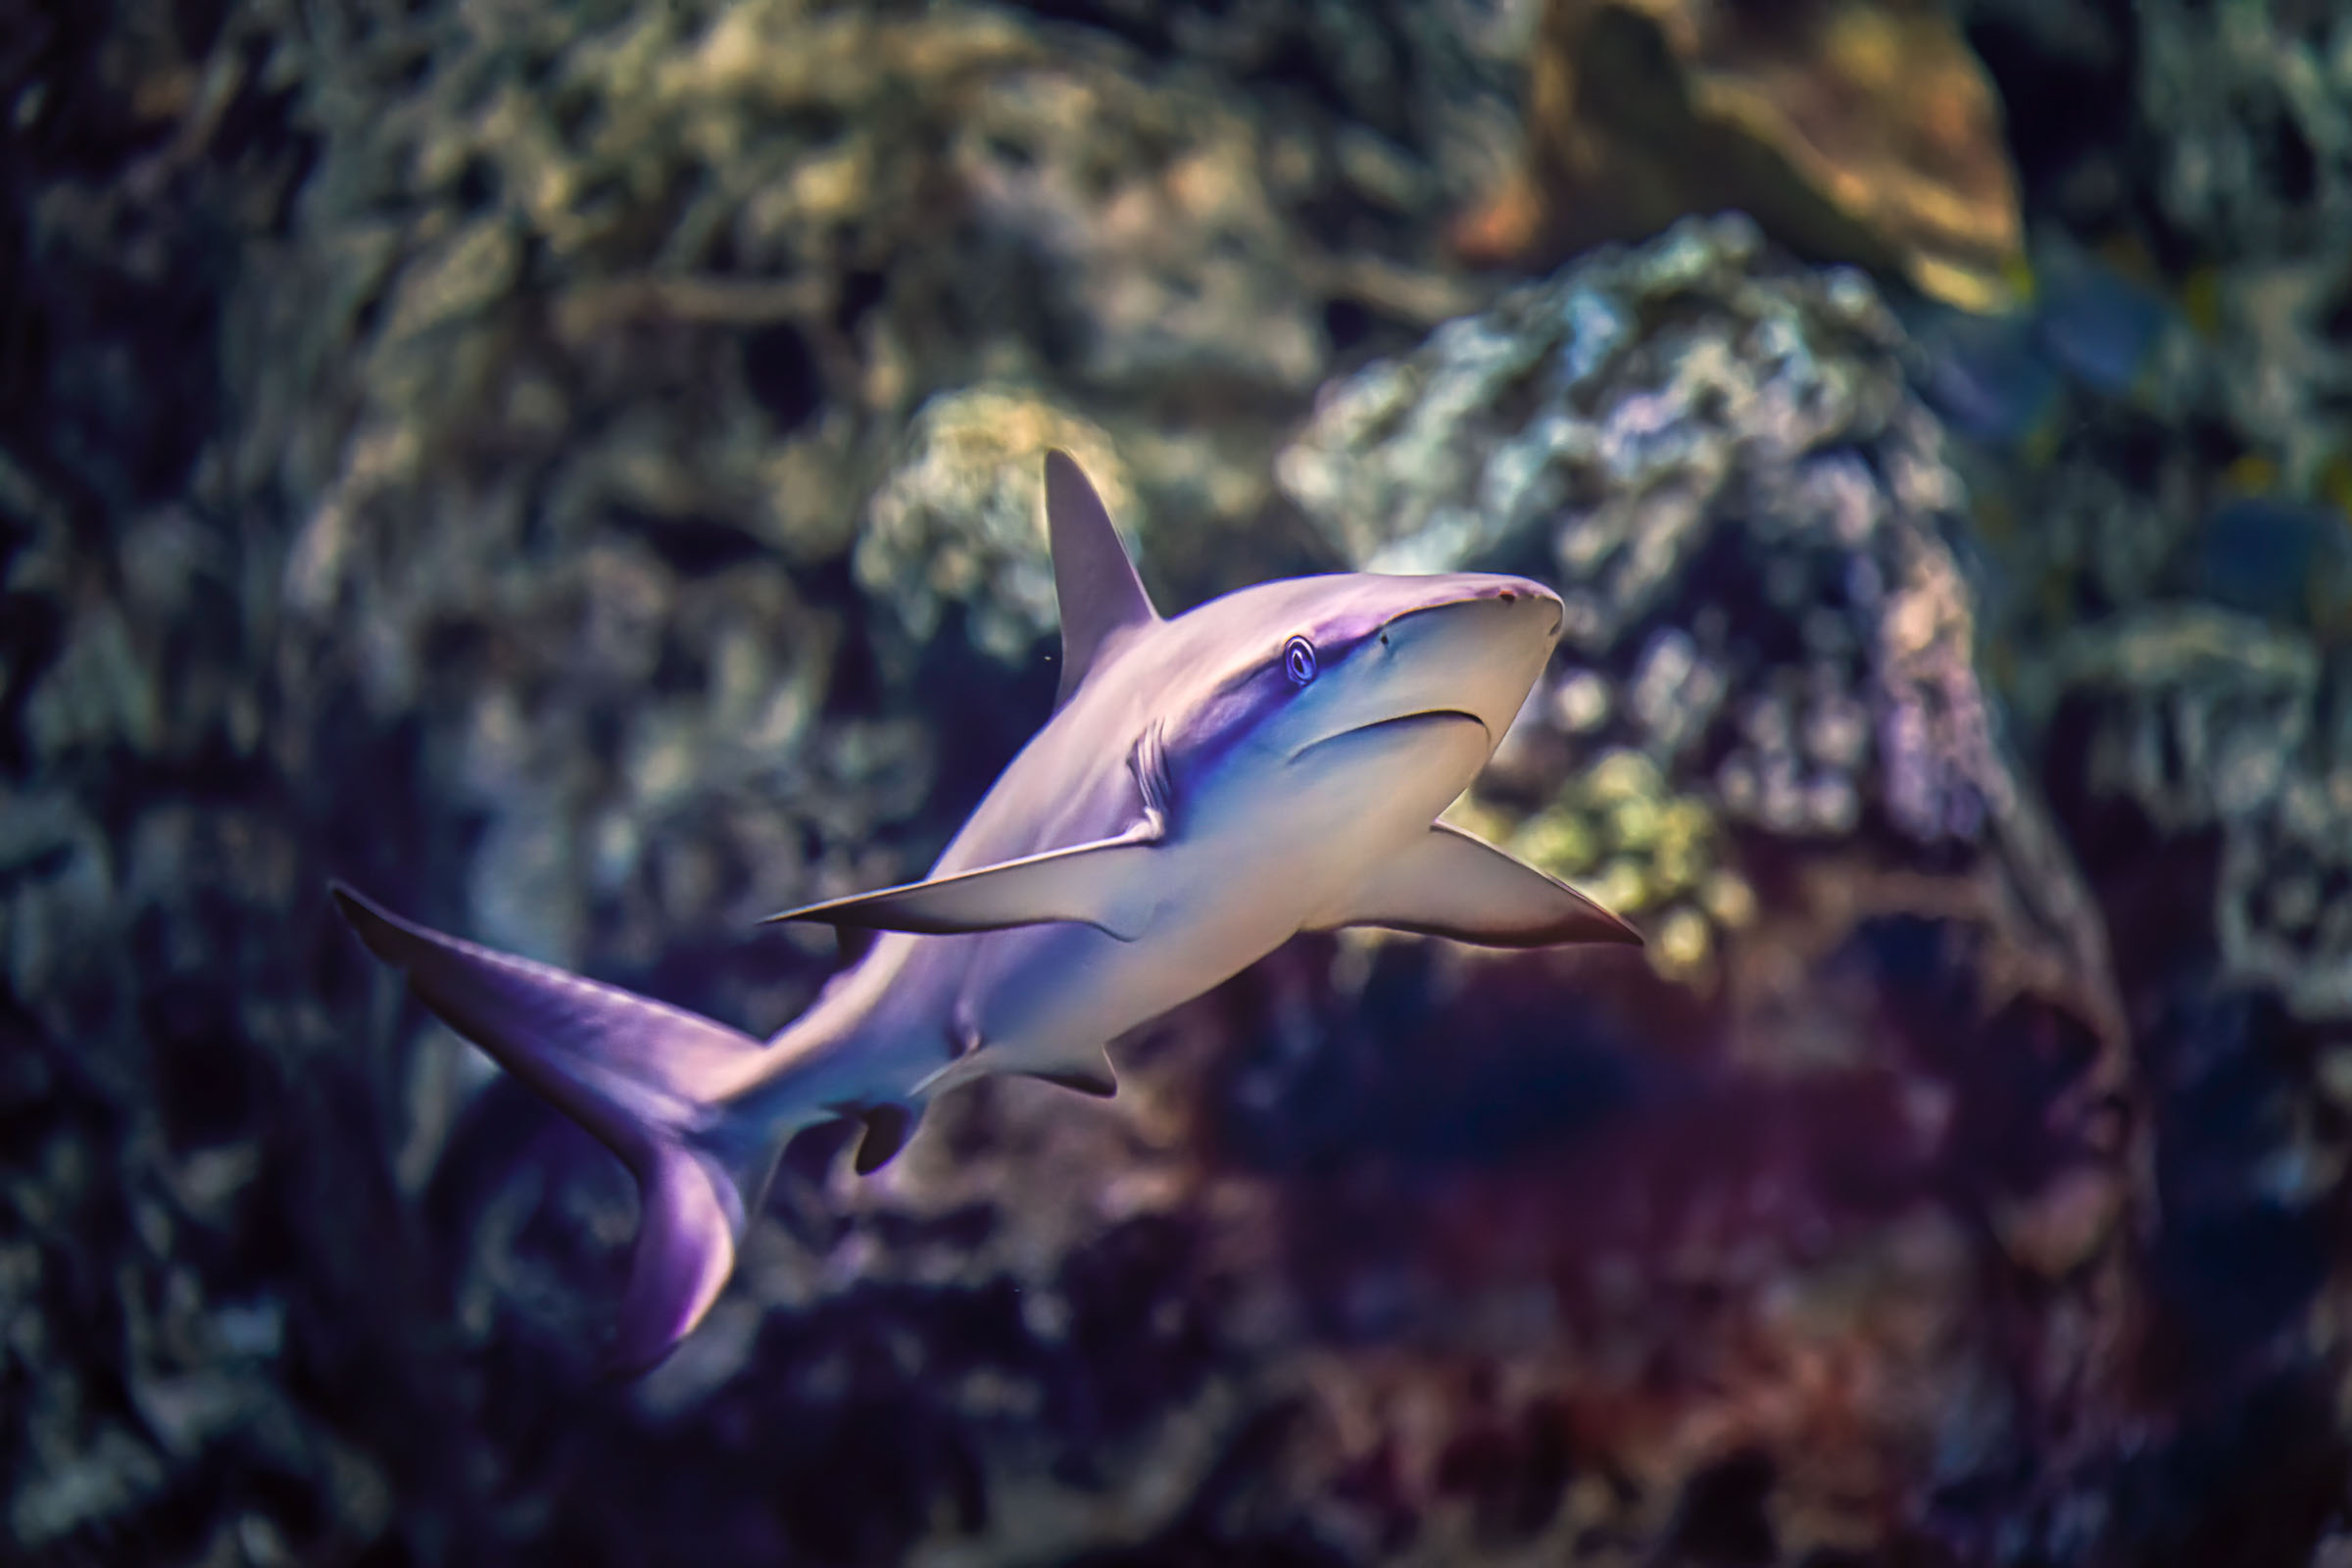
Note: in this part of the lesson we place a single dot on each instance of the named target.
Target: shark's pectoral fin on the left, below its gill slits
(1104, 885)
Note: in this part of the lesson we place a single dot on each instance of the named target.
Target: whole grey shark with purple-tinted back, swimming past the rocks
(1208, 786)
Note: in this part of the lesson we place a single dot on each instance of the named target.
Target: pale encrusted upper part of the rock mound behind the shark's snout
(1751, 523)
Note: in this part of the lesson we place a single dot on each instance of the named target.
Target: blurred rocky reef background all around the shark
(570, 467)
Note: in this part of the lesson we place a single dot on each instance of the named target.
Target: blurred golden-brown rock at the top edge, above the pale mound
(1852, 130)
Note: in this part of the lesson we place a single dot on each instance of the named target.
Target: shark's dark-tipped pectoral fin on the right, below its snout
(1471, 892)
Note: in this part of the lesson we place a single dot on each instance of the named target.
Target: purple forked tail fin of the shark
(646, 1078)
